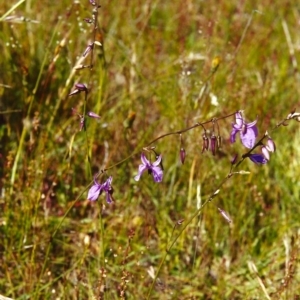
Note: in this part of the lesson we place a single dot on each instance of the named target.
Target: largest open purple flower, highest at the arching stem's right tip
(248, 131)
